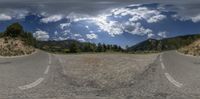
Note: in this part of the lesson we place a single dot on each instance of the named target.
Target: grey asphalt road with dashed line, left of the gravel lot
(31, 77)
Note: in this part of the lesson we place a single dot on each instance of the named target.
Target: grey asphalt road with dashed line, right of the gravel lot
(172, 76)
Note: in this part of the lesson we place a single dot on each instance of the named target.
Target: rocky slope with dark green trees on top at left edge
(15, 41)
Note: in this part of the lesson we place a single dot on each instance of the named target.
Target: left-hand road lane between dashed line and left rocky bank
(21, 71)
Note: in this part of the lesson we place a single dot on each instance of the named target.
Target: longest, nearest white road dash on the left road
(31, 85)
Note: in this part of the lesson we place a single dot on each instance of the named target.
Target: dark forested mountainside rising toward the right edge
(153, 45)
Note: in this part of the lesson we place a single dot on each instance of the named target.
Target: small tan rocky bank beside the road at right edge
(192, 49)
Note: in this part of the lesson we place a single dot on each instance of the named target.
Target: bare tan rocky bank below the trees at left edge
(14, 47)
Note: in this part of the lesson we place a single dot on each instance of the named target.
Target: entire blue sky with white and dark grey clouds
(123, 22)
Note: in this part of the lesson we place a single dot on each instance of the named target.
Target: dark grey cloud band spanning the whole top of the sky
(92, 7)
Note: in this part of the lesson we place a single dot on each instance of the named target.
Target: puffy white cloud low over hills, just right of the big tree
(41, 35)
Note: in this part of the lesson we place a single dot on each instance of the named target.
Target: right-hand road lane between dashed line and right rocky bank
(185, 70)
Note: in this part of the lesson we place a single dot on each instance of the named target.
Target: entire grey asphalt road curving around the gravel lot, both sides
(171, 76)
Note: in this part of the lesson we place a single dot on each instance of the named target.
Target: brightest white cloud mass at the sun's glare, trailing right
(114, 28)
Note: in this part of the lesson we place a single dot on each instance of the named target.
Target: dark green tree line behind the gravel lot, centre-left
(73, 46)
